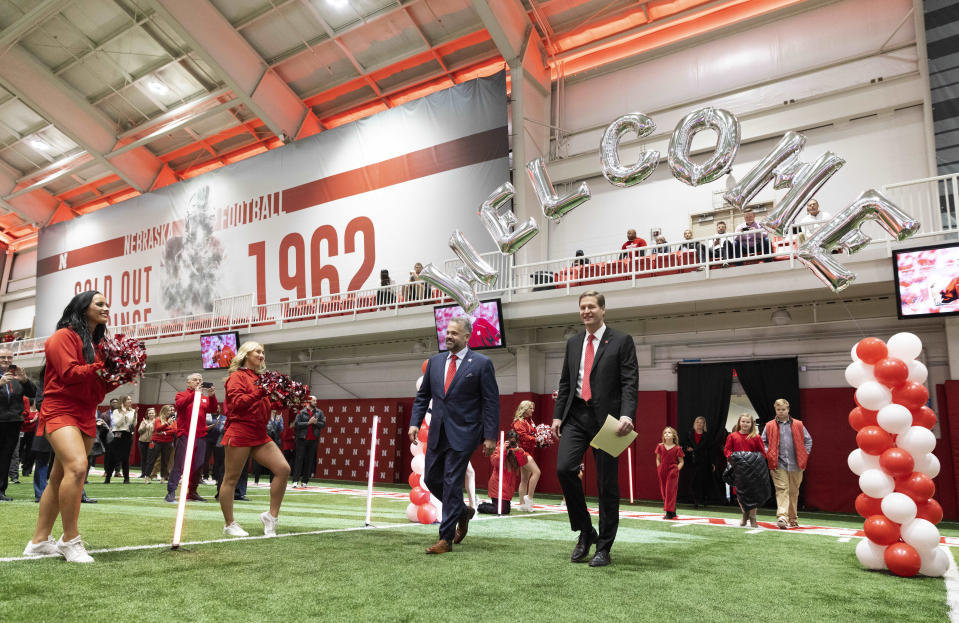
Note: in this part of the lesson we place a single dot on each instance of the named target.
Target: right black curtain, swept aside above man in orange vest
(767, 380)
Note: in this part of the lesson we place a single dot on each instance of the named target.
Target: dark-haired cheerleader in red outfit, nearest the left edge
(72, 389)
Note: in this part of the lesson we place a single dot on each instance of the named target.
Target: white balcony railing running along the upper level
(933, 201)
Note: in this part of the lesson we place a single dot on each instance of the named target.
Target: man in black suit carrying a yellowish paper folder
(600, 377)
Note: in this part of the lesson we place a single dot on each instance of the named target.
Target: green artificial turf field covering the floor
(512, 568)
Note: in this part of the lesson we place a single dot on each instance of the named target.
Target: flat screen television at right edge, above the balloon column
(927, 280)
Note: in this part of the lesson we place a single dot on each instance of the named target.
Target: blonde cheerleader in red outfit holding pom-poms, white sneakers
(247, 412)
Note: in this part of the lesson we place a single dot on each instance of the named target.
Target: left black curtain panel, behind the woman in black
(704, 390)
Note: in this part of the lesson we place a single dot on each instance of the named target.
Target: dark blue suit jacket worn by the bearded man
(469, 412)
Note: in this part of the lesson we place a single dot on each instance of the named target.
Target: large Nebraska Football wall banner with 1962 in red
(319, 216)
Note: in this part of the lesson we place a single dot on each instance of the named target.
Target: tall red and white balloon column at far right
(894, 460)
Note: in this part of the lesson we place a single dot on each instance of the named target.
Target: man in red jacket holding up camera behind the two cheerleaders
(184, 413)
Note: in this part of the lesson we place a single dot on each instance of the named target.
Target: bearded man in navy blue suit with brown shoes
(462, 386)
